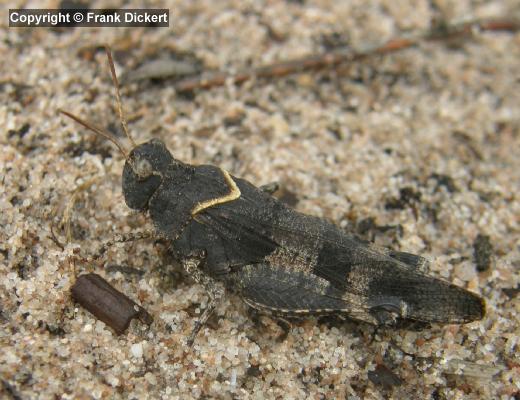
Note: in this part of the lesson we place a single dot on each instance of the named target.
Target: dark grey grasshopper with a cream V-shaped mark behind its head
(224, 229)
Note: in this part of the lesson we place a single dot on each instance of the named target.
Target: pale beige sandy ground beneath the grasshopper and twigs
(417, 150)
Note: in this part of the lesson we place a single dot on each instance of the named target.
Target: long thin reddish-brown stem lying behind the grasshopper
(342, 56)
